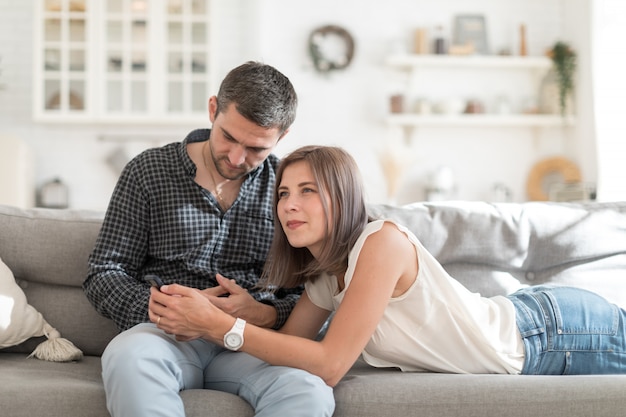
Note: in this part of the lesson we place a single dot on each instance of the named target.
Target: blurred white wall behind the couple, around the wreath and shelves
(345, 108)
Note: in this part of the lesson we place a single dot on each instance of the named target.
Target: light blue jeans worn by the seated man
(144, 370)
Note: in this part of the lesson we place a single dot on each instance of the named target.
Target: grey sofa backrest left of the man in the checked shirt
(47, 251)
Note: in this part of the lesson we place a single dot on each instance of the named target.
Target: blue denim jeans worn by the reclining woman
(569, 331)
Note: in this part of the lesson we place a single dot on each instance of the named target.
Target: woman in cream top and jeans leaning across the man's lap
(393, 302)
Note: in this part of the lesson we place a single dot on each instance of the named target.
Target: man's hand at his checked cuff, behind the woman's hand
(236, 301)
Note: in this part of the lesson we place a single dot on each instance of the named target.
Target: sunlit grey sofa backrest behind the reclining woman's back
(495, 249)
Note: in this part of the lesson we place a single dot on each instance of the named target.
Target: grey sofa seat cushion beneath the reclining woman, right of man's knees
(369, 392)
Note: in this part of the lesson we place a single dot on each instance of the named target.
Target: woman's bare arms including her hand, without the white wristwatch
(387, 261)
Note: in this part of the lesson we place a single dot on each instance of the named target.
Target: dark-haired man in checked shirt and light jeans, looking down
(186, 212)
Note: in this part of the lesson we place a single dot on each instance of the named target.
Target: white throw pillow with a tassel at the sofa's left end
(20, 321)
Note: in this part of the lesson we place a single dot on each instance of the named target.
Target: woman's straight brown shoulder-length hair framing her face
(336, 175)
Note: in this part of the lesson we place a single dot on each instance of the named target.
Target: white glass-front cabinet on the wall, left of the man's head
(123, 60)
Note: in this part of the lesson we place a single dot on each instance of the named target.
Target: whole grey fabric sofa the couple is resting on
(492, 249)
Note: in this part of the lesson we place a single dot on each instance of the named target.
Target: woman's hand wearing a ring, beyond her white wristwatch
(186, 313)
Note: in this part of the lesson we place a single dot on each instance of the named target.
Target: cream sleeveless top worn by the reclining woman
(437, 325)
